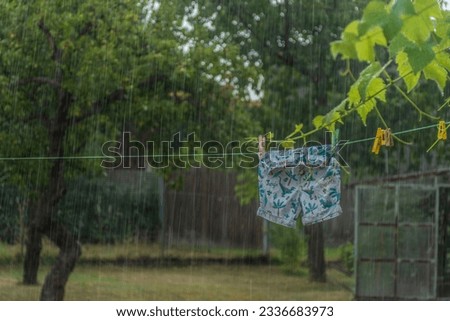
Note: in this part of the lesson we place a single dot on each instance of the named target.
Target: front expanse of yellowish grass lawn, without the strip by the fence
(208, 282)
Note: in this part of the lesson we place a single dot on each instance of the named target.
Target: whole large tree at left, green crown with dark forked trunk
(74, 74)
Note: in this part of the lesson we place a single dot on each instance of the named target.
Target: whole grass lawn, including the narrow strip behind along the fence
(197, 282)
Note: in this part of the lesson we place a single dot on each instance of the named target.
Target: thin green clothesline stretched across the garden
(87, 157)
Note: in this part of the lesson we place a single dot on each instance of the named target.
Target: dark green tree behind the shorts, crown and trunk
(289, 41)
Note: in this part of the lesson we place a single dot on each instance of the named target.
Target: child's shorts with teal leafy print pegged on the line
(303, 182)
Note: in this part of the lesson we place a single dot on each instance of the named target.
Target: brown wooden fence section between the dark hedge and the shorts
(206, 212)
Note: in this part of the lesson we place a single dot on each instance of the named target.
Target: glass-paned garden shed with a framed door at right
(402, 237)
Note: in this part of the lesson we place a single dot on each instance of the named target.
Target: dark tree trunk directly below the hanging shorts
(316, 253)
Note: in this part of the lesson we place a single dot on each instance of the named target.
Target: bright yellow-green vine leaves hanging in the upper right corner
(414, 34)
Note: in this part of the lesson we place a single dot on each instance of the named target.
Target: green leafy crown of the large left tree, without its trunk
(120, 68)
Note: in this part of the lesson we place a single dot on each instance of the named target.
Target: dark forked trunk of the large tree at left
(43, 220)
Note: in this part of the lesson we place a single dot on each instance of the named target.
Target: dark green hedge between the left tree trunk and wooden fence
(102, 211)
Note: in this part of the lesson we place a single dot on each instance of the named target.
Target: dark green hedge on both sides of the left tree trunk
(96, 210)
